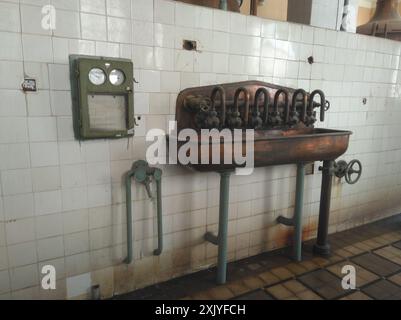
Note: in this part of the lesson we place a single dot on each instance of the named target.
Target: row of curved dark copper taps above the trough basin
(291, 115)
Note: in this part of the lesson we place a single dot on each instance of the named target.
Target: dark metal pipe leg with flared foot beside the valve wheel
(322, 246)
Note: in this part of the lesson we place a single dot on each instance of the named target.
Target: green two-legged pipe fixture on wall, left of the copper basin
(143, 174)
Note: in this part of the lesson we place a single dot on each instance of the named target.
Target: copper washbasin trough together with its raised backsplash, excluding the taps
(277, 145)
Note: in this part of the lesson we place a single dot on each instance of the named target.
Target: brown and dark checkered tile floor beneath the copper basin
(374, 251)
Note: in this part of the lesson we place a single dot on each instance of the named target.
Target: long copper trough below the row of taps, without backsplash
(276, 148)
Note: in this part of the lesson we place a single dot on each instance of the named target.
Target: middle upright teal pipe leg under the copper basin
(299, 203)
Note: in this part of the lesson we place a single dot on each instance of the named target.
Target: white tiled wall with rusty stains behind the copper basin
(63, 202)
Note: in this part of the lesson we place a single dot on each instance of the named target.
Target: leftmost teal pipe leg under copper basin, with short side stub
(221, 239)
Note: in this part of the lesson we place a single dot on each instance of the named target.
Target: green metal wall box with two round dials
(102, 94)
